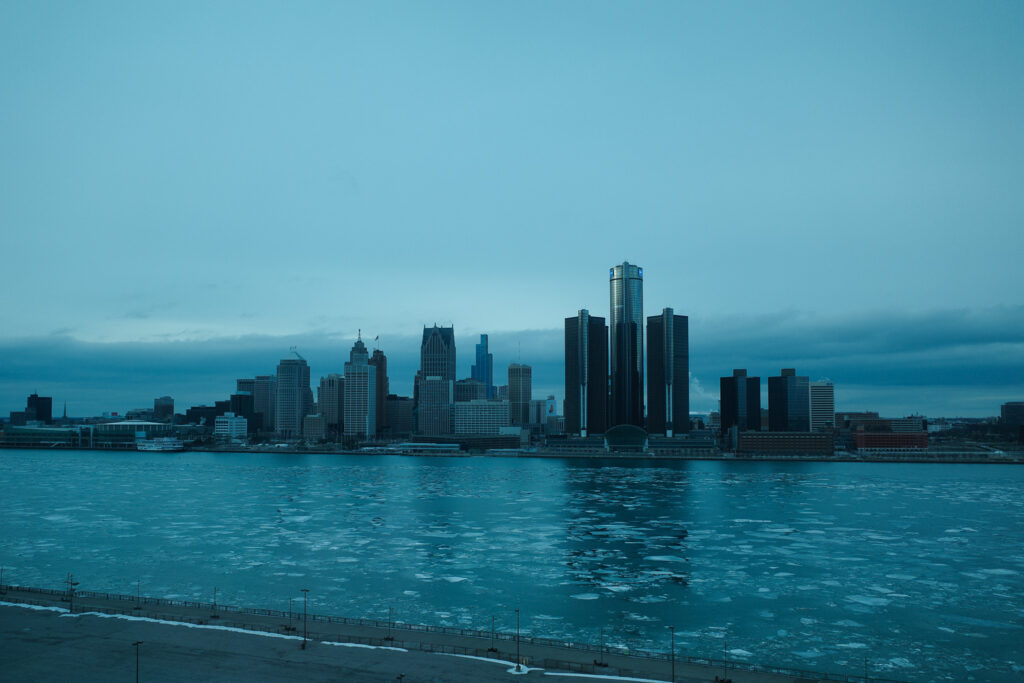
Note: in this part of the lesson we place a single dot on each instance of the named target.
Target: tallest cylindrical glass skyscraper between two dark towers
(626, 328)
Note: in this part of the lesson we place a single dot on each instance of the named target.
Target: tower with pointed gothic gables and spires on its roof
(436, 382)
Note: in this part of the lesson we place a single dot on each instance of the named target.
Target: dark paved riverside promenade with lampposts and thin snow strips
(233, 644)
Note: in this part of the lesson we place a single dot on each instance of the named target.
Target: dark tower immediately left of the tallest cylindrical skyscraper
(586, 374)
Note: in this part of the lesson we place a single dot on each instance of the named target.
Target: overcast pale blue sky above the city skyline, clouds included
(188, 190)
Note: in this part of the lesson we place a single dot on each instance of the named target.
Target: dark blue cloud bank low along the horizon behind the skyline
(942, 363)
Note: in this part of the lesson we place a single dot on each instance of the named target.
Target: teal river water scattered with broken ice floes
(916, 571)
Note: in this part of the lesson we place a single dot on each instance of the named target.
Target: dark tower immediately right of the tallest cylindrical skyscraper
(668, 374)
